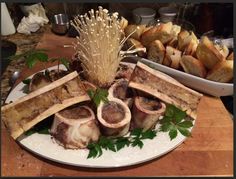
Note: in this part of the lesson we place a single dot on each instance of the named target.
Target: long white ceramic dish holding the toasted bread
(199, 84)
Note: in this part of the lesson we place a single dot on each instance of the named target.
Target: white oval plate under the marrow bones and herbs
(44, 146)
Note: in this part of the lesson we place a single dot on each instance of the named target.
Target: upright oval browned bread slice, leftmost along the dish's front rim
(156, 51)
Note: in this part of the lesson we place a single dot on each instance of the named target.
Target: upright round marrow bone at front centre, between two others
(114, 117)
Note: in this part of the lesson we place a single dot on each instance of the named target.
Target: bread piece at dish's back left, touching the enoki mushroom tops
(138, 31)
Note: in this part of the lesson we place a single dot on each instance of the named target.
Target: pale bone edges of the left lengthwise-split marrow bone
(55, 108)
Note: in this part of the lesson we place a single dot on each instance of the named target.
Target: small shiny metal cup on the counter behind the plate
(60, 24)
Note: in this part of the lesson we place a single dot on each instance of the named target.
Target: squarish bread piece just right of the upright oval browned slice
(172, 57)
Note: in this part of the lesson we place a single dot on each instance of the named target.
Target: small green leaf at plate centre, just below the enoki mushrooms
(98, 95)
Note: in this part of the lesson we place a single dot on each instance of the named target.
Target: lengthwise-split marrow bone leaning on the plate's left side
(29, 110)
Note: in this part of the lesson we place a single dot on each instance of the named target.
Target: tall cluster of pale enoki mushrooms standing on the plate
(99, 45)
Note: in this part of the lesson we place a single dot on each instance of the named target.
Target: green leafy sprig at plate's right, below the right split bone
(175, 120)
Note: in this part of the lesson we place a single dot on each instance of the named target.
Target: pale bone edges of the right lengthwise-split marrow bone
(168, 99)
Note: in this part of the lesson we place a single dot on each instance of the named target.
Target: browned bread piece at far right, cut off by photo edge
(221, 72)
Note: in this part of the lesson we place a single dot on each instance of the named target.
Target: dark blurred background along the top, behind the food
(216, 18)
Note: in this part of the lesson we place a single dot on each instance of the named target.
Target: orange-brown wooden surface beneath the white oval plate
(209, 152)
